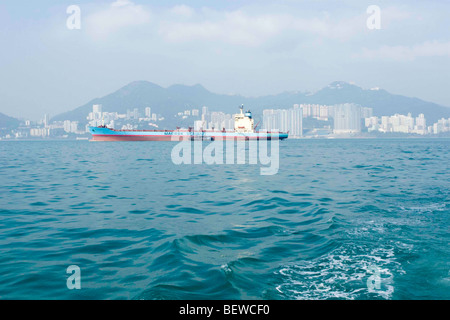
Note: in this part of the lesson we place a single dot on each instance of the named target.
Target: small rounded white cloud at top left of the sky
(118, 15)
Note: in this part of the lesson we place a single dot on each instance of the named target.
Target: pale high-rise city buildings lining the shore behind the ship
(347, 120)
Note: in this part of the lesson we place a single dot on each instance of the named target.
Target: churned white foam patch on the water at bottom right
(344, 273)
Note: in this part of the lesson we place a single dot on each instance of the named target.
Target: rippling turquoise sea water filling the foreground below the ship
(339, 214)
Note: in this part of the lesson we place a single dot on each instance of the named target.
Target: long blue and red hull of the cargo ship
(106, 134)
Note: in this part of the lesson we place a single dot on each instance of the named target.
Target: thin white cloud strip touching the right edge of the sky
(407, 53)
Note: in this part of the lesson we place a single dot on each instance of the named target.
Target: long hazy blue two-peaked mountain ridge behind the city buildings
(177, 98)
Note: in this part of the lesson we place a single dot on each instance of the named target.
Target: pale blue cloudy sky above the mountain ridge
(252, 48)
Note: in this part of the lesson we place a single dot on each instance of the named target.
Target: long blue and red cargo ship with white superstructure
(244, 129)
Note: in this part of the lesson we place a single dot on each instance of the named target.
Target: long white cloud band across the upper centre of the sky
(242, 28)
